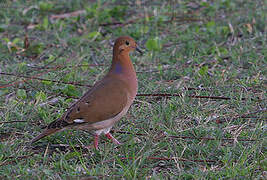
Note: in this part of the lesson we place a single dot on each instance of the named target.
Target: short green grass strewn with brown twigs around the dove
(193, 48)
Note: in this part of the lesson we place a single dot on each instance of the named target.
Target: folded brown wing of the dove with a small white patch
(102, 102)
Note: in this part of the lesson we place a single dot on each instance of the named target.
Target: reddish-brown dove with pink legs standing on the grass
(107, 101)
